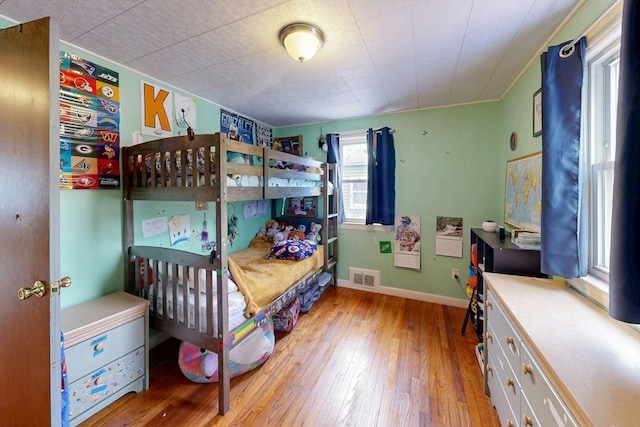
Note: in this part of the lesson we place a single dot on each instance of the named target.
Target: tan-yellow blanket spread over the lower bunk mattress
(262, 280)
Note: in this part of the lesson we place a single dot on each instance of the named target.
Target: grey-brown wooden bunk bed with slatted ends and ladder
(204, 169)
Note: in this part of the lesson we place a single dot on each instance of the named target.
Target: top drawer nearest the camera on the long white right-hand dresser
(550, 410)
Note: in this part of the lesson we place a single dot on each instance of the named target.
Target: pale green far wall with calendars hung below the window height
(446, 166)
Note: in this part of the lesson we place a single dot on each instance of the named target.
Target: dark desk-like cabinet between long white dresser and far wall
(496, 256)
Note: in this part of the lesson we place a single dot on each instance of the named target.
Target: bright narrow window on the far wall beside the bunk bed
(353, 154)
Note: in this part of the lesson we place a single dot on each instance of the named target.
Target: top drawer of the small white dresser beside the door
(91, 354)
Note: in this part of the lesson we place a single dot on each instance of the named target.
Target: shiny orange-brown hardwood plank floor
(356, 359)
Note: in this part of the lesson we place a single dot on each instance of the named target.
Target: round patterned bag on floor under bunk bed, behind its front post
(201, 366)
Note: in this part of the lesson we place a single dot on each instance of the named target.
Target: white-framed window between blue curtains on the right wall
(599, 134)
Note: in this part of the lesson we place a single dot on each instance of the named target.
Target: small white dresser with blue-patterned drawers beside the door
(106, 351)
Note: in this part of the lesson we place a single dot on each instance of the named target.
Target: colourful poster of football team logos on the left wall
(89, 125)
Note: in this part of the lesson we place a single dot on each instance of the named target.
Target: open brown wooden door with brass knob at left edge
(29, 223)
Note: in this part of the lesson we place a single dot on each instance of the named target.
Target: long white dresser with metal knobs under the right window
(552, 358)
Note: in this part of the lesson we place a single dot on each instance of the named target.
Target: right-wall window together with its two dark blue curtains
(590, 193)
